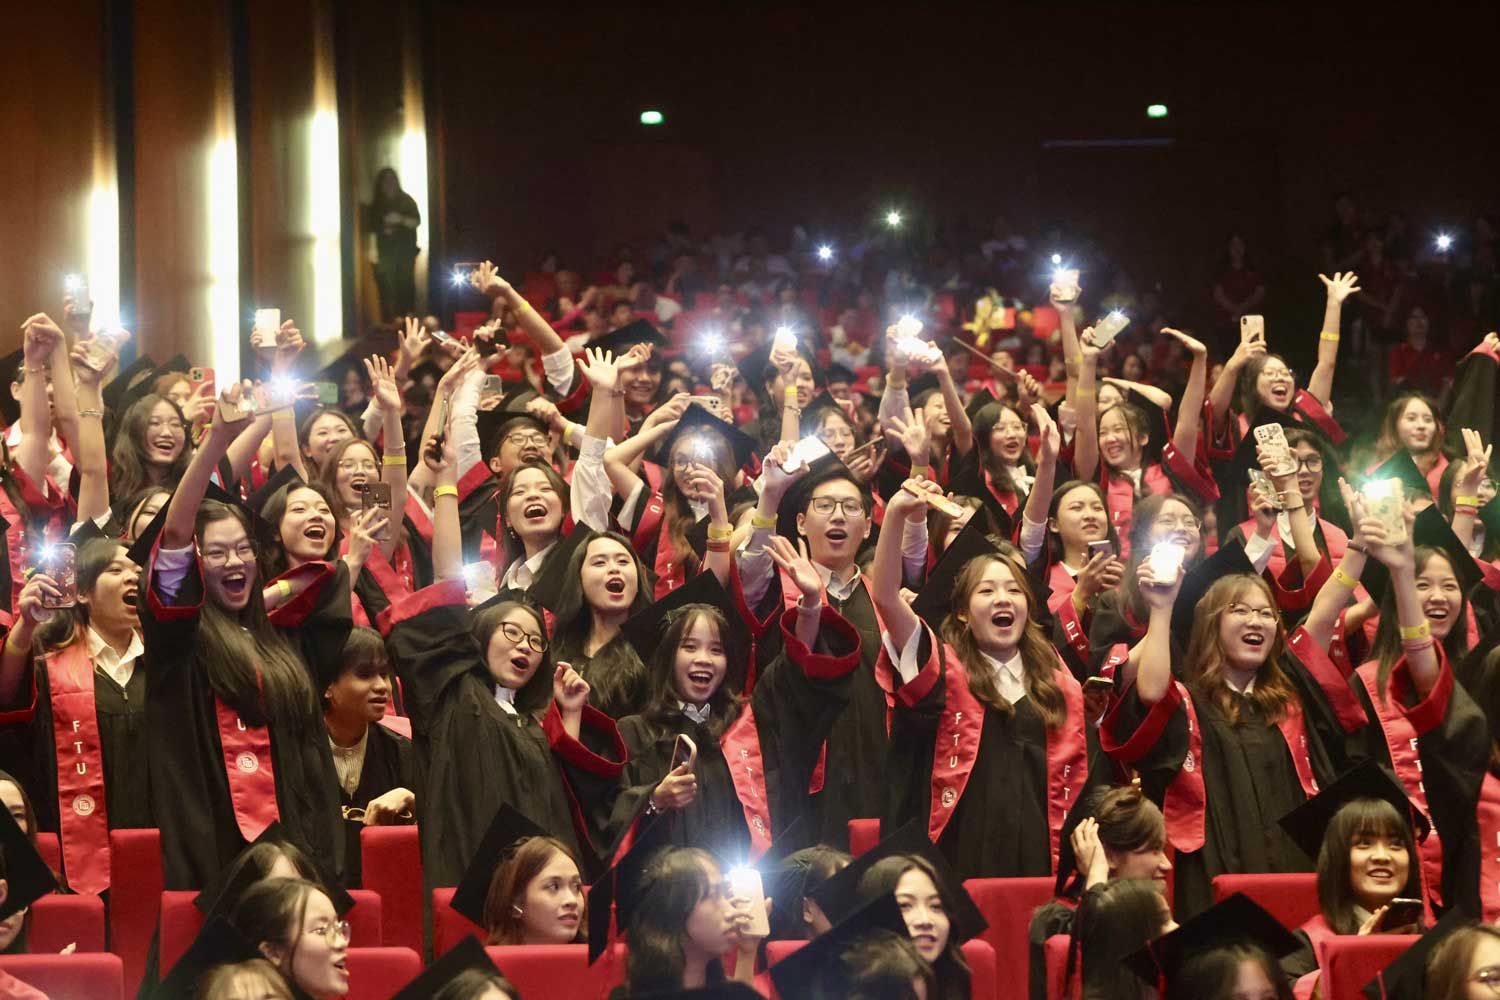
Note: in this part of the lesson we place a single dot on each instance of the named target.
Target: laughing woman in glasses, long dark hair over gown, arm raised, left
(235, 734)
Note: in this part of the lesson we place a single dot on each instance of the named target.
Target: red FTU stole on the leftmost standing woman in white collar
(82, 816)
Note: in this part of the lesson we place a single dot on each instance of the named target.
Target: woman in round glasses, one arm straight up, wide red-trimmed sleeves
(482, 690)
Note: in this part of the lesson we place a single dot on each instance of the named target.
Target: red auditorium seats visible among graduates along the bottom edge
(388, 918)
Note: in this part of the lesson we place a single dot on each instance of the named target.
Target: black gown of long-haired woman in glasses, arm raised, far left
(190, 789)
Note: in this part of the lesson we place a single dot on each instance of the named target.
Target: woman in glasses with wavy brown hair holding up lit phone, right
(1240, 741)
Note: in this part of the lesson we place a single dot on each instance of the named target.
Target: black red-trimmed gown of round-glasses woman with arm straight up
(473, 755)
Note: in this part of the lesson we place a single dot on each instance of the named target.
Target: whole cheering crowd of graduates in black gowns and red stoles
(620, 593)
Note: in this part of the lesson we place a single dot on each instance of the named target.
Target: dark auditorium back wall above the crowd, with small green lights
(802, 115)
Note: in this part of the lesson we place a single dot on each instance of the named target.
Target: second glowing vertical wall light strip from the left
(224, 257)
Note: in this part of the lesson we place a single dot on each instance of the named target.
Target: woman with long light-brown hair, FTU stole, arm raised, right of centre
(988, 744)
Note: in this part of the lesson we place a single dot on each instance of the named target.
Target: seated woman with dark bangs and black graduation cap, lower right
(1364, 831)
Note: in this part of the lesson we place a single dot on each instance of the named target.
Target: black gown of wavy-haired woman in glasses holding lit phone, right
(1250, 782)
